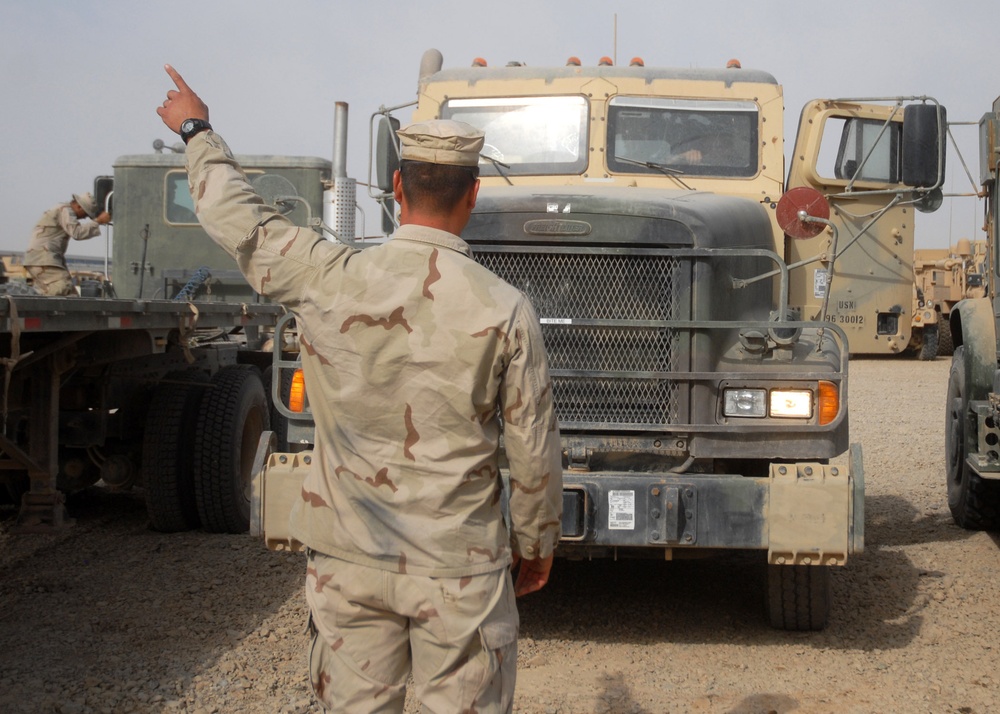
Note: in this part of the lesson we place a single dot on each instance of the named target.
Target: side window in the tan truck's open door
(866, 150)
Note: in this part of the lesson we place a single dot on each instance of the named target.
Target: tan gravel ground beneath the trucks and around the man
(109, 616)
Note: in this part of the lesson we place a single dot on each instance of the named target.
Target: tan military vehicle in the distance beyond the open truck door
(942, 277)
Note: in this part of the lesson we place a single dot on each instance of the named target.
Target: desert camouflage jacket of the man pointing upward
(408, 350)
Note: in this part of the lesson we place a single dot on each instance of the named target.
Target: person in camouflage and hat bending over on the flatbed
(45, 259)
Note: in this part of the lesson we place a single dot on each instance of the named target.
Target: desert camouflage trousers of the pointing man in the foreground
(373, 628)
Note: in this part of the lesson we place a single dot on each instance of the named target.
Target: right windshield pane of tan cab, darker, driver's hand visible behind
(688, 137)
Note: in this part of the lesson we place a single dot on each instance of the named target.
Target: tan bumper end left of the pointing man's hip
(277, 485)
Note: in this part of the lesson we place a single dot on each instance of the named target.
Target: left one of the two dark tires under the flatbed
(166, 471)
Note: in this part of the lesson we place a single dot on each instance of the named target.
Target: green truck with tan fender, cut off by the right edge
(972, 408)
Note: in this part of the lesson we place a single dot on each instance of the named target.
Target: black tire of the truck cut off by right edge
(973, 501)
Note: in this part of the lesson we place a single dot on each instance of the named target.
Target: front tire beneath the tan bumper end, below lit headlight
(798, 596)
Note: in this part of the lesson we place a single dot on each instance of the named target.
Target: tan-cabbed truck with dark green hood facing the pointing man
(645, 214)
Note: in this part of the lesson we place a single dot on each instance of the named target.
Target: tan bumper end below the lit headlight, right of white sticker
(816, 512)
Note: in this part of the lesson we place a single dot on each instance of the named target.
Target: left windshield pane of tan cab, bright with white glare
(531, 135)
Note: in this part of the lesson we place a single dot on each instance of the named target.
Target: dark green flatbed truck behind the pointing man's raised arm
(159, 377)
